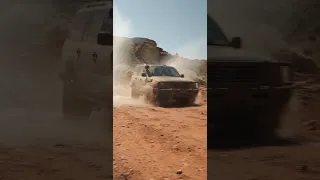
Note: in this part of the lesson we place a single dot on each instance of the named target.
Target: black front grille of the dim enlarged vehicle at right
(229, 73)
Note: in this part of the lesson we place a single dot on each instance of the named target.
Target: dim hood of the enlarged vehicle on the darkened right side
(221, 54)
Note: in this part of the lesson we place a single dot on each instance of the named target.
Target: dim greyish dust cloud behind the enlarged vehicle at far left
(30, 107)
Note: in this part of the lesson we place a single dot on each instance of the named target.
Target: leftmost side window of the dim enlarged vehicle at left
(79, 25)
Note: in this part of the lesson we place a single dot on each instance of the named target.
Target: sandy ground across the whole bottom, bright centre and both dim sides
(153, 143)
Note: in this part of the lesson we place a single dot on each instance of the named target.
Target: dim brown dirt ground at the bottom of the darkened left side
(53, 149)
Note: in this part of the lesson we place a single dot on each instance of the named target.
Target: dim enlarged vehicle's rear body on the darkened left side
(88, 60)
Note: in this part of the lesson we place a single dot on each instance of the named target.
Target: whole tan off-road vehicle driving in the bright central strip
(162, 85)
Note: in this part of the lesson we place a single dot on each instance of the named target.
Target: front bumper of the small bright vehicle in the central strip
(175, 93)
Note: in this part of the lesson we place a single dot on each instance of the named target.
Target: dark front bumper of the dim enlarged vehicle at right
(229, 100)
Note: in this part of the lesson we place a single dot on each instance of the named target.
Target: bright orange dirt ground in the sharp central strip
(154, 143)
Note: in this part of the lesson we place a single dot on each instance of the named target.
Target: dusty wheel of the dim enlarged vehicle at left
(72, 105)
